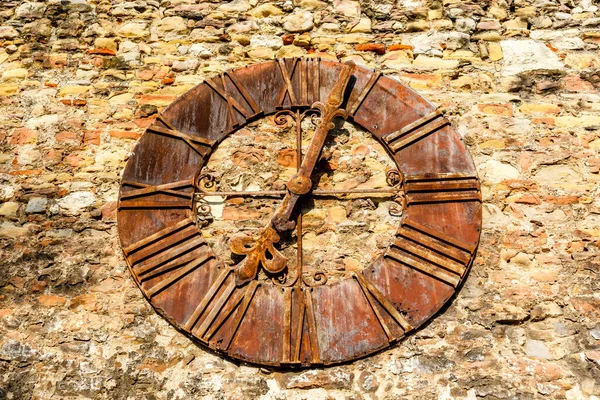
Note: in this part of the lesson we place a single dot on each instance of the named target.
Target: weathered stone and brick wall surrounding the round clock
(80, 80)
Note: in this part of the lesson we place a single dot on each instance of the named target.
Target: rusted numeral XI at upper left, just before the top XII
(232, 103)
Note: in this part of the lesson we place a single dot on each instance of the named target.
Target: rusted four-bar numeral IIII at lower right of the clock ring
(431, 251)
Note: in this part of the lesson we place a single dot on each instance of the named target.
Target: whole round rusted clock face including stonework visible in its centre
(258, 221)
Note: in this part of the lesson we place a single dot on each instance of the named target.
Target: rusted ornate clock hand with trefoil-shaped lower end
(263, 250)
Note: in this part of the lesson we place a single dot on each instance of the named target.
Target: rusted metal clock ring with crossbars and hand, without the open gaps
(295, 318)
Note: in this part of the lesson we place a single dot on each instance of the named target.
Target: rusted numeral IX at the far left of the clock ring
(128, 198)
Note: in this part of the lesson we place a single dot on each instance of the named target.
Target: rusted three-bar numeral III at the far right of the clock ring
(439, 188)
